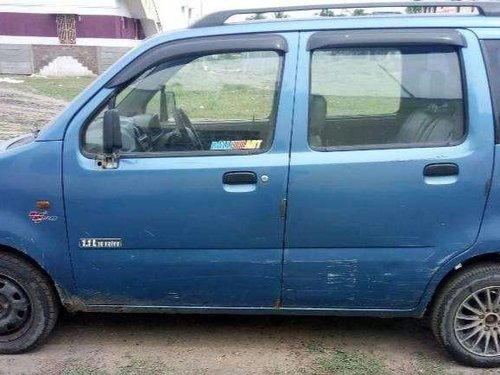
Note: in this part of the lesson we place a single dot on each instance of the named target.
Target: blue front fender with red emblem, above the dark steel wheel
(30, 173)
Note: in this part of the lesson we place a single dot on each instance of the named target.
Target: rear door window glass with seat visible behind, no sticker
(397, 97)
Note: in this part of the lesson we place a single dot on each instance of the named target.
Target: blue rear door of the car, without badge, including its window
(390, 166)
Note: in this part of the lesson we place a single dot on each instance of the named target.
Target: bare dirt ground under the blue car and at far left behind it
(187, 344)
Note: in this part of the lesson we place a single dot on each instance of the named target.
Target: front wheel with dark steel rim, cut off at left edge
(29, 305)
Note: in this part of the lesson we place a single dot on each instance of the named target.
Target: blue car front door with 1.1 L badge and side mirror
(190, 215)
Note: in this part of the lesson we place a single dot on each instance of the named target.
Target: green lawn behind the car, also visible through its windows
(230, 101)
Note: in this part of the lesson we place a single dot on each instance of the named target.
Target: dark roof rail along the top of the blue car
(485, 8)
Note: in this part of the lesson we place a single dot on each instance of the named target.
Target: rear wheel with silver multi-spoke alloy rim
(451, 317)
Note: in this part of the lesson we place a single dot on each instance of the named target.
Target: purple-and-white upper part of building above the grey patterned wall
(79, 22)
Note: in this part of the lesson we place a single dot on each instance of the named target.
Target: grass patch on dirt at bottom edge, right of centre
(351, 363)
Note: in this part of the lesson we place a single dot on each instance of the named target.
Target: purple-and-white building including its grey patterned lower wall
(81, 37)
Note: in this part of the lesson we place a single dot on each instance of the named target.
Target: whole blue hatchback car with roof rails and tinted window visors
(332, 166)
